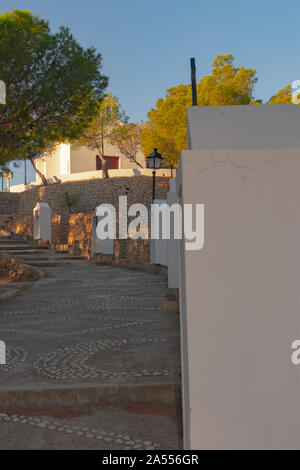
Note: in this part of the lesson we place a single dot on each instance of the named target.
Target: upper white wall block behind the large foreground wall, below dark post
(244, 127)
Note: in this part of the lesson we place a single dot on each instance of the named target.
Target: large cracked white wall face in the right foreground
(240, 301)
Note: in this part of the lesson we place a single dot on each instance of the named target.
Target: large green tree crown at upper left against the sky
(54, 86)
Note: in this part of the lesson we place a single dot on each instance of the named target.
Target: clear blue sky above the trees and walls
(146, 45)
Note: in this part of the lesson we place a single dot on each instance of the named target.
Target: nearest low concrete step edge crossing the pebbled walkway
(158, 394)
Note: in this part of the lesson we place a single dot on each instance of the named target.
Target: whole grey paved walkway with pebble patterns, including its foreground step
(84, 345)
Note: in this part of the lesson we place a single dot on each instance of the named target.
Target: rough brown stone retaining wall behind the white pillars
(75, 229)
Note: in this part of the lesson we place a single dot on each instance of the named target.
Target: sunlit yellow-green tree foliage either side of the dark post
(166, 125)
